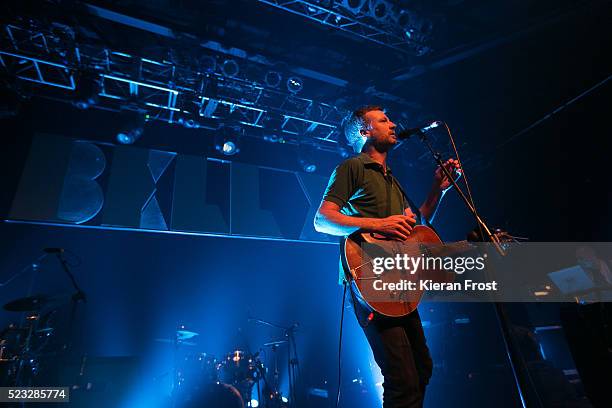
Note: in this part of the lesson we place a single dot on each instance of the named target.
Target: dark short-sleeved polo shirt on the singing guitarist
(360, 187)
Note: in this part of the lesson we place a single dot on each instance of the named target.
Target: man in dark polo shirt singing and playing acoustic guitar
(363, 195)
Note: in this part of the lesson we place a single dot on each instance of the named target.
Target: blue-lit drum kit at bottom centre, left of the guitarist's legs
(232, 380)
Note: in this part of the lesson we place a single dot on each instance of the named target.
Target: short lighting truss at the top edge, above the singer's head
(356, 25)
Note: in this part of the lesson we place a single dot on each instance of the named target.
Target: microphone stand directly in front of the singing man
(515, 359)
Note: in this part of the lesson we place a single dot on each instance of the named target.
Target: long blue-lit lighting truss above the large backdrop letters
(167, 91)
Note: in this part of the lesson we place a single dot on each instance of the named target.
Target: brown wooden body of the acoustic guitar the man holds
(359, 249)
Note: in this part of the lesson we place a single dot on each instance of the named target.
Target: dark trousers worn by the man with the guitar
(401, 352)
